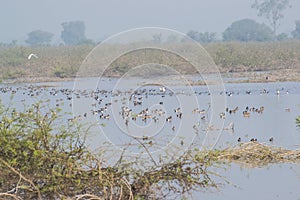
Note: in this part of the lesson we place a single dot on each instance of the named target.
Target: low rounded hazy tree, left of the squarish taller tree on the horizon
(39, 37)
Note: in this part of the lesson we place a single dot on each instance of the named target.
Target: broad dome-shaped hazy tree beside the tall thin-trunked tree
(247, 30)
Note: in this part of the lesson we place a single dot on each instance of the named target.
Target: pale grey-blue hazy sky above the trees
(104, 18)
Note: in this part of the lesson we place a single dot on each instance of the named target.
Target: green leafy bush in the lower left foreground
(35, 144)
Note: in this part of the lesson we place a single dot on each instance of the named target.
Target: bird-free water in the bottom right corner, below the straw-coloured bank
(278, 181)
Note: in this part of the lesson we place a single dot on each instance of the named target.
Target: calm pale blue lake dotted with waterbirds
(141, 118)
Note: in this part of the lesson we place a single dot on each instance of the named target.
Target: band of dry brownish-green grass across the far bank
(64, 61)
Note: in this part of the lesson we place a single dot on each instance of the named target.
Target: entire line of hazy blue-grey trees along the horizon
(244, 30)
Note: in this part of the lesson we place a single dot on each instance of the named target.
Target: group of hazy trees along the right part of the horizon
(249, 30)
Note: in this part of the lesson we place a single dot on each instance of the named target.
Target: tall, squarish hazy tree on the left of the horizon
(73, 32)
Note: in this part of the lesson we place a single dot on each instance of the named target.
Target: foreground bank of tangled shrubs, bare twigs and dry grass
(43, 158)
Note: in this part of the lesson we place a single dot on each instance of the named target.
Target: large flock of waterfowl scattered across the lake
(132, 101)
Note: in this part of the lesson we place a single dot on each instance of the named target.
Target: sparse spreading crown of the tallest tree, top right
(272, 10)
